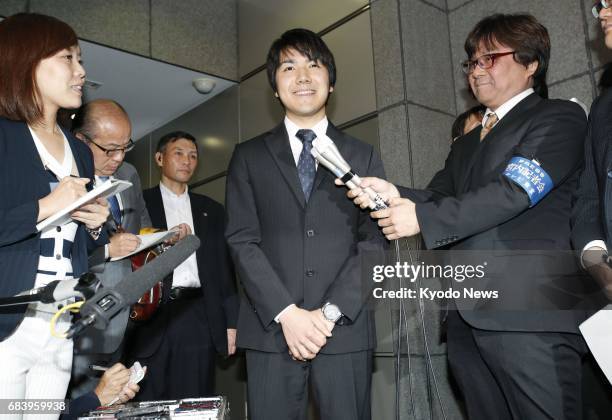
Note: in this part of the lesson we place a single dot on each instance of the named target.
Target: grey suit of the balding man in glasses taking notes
(97, 346)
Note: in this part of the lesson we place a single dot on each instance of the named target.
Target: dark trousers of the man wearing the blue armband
(516, 375)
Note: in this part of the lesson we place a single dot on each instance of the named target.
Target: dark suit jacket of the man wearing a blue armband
(470, 206)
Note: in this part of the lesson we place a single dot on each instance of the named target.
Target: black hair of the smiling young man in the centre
(305, 42)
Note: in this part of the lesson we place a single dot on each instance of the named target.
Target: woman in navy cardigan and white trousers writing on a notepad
(43, 169)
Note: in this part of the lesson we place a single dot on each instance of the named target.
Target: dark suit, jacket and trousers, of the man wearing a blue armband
(521, 360)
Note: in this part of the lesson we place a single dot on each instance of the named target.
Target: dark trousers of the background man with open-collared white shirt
(183, 365)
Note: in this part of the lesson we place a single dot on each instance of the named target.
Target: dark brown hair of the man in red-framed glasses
(521, 32)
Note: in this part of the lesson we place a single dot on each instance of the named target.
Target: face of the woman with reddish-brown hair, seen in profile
(60, 79)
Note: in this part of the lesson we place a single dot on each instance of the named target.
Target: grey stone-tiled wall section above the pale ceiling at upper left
(200, 35)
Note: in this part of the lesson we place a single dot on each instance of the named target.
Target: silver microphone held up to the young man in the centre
(327, 154)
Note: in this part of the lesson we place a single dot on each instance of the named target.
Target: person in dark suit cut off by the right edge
(592, 226)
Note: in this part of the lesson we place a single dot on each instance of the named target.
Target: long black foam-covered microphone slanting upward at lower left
(108, 302)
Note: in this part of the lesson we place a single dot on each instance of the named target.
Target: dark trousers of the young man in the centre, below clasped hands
(278, 385)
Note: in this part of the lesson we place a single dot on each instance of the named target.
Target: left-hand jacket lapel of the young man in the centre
(278, 144)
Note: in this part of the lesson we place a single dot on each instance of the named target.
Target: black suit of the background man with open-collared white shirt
(181, 340)
